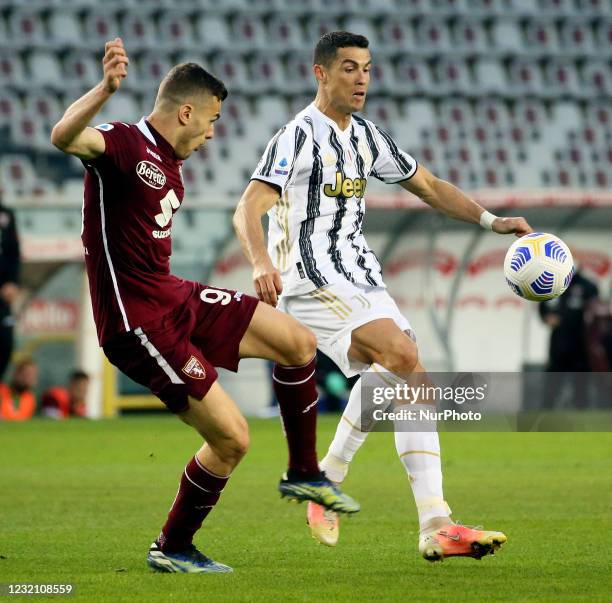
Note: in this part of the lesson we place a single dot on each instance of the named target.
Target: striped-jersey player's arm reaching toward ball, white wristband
(449, 200)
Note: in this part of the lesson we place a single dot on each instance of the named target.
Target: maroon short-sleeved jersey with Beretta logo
(131, 194)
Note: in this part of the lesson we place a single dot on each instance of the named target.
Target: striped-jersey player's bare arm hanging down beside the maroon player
(257, 199)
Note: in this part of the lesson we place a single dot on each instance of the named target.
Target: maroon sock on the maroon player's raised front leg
(296, 393)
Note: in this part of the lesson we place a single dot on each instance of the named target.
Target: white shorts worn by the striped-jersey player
(333, 312)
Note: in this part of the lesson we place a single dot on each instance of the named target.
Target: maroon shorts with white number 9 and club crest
(175, 356)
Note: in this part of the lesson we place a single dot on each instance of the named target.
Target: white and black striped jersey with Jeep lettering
(315, 230)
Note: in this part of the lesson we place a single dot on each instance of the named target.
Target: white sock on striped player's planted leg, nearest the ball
(419, 452)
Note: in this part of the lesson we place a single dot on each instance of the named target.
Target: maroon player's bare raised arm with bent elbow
(71, 133)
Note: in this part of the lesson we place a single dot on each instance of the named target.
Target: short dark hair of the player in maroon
(189, 79)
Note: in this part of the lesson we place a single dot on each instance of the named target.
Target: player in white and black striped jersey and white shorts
(311, 180)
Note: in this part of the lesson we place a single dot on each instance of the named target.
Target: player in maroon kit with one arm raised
(168, 333)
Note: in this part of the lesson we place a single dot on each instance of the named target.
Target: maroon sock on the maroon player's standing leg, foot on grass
(198, 493)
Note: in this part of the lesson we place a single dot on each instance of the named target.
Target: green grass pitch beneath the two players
(80, 502)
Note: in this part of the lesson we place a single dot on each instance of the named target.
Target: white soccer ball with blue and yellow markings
(539, 266)
